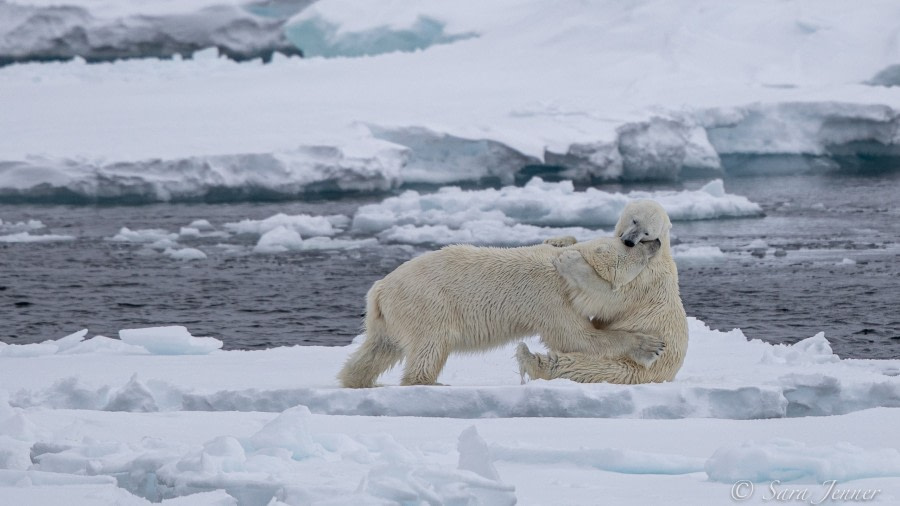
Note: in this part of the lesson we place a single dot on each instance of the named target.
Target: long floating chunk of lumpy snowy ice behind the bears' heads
(522, 215)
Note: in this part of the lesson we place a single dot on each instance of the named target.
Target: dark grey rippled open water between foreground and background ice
(48, 290)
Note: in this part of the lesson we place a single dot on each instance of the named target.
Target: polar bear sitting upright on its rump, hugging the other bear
(653, 307)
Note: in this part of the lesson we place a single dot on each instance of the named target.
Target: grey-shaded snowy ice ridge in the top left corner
(61, 32)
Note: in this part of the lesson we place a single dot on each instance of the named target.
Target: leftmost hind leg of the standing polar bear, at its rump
(377, 354)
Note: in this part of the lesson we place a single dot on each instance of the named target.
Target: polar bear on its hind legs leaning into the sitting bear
(466, 298)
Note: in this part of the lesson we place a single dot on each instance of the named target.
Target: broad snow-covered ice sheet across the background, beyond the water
(458, 92)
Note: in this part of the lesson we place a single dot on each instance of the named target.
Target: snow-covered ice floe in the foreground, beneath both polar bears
(149, 420)
